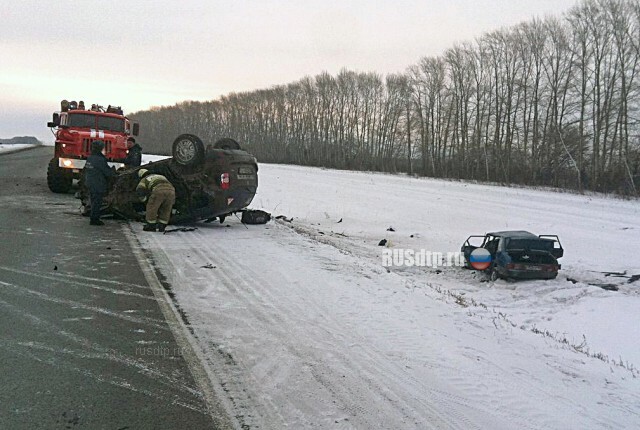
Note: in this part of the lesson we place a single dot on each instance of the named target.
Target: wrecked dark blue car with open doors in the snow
(518, 254)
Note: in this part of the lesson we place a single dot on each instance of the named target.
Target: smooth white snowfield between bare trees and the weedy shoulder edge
(599, 235)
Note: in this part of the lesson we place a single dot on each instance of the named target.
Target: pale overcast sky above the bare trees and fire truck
(150, 53)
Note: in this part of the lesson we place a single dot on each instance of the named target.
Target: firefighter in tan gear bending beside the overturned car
(160, 196)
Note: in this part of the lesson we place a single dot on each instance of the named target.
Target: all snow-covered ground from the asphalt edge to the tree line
(303, 327)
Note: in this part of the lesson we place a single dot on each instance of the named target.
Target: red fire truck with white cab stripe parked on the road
(76, 127)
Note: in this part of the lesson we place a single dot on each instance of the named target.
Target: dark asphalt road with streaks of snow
(83, 342)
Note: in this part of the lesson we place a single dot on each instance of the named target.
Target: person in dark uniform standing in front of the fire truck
(97, 172)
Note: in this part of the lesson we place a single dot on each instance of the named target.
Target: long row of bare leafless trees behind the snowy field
(552, 101)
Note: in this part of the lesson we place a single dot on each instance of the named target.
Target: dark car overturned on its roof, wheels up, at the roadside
(211, 182)
